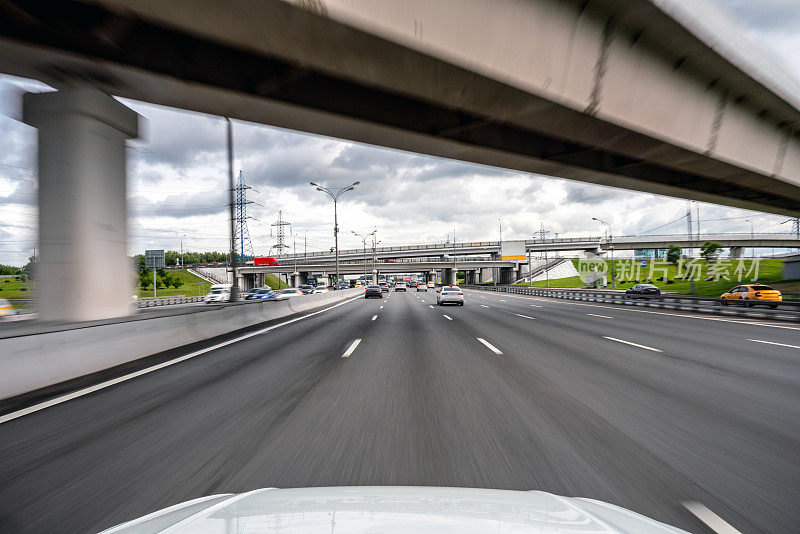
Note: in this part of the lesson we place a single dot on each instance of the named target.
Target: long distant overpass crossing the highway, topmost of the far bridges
(595, 243)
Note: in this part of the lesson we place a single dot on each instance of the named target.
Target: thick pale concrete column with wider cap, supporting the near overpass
(84, 271)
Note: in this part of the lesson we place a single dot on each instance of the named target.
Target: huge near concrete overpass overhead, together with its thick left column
(635, 94)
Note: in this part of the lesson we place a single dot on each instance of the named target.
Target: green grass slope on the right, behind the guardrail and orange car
(770, 272)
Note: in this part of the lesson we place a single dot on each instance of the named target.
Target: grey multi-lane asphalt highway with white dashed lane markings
(642, 408)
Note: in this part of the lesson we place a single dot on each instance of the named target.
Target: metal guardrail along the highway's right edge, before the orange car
(788, 311)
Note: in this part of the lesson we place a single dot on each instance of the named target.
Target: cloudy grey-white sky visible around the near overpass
(177, 180)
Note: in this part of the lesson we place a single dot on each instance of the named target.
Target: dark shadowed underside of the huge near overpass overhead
(290, 67)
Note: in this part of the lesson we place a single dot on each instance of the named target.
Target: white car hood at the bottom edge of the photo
(395, 509)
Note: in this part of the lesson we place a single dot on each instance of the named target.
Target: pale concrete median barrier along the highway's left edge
(35, 356)
